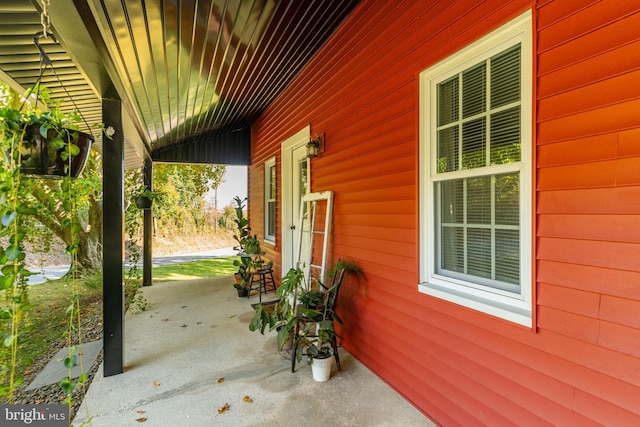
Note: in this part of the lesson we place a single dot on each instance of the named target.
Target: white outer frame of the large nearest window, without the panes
(513, 307)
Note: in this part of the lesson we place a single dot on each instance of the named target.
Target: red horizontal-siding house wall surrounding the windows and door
(580, 365)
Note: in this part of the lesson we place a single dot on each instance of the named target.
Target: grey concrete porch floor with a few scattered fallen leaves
(191, 353)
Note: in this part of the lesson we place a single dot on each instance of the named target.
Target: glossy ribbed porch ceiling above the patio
(183, 68)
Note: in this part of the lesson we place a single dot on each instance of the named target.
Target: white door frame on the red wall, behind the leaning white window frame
(288, 146)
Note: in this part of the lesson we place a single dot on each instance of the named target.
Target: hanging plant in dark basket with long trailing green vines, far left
(45, 144)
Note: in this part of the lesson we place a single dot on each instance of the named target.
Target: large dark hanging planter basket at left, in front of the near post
(41, 158)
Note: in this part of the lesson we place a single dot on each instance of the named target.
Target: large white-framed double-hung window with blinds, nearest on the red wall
(476, 175)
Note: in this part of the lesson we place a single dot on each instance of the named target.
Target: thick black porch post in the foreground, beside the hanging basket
(113, 237)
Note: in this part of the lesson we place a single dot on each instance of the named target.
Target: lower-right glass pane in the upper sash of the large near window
(505, 136)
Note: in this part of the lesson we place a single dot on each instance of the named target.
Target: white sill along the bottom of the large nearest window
(516, 312)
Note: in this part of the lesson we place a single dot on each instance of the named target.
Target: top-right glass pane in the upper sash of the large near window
(505, 77)
